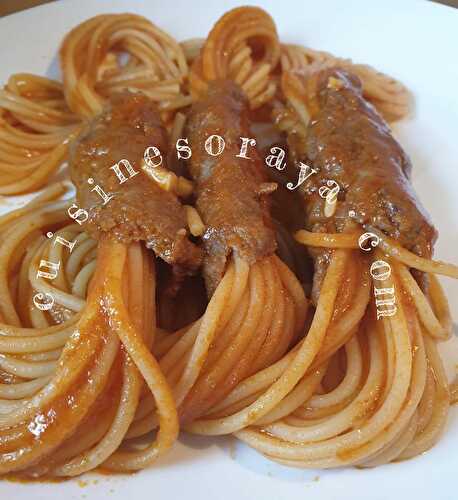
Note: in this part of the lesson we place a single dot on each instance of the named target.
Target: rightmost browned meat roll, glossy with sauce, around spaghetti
(349, 142)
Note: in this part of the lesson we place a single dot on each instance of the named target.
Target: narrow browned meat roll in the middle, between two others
(231, 191)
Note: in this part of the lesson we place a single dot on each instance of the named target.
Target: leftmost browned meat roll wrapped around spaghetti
(140, 209)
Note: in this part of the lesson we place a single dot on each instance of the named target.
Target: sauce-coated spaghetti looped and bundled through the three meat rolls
(103, 378)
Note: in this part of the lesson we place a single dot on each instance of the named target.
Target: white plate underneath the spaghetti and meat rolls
(413, 41)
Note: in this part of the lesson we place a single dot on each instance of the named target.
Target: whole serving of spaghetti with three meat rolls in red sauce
(174, 277)
